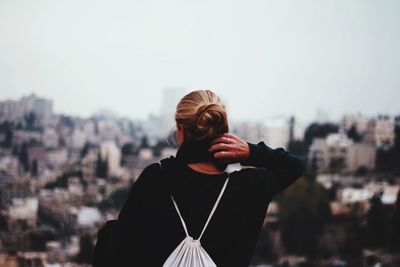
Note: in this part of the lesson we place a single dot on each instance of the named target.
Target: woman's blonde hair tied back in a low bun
(202, 115)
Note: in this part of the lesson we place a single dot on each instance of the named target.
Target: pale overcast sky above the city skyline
(266, 58)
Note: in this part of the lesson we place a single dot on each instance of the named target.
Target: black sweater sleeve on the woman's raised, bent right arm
(277, 168)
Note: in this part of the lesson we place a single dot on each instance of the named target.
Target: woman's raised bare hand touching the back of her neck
(229, 148)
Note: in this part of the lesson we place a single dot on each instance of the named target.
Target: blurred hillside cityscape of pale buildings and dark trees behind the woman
(62, 177)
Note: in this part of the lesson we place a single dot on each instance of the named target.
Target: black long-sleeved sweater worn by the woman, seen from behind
(151, 228)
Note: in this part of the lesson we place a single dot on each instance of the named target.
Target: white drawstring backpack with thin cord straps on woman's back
(190, 253)
